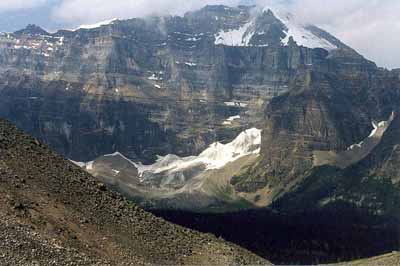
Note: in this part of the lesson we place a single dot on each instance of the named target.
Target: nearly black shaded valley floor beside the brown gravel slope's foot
(318, 237)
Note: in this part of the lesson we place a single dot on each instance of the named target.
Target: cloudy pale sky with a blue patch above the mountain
(372, 27)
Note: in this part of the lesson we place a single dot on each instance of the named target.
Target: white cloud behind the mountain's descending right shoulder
(371, 27)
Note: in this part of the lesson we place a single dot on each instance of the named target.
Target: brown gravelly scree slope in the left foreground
(54, 213)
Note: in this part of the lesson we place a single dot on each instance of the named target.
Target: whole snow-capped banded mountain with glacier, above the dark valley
(169, 87)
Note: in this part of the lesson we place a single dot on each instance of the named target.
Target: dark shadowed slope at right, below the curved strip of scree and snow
(370, 183)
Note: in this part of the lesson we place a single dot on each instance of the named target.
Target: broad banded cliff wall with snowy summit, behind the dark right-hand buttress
(151, 86)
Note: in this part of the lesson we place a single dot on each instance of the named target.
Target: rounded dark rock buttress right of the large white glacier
(329, 111)
